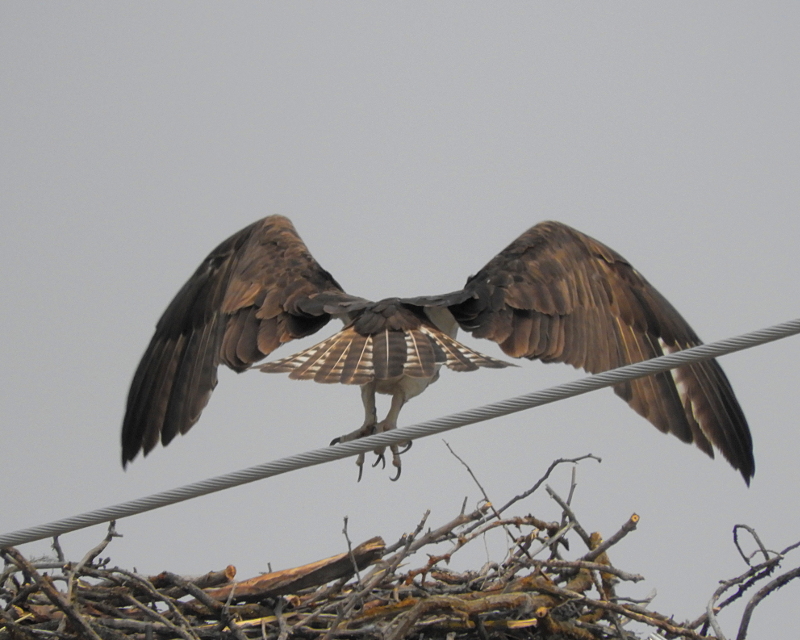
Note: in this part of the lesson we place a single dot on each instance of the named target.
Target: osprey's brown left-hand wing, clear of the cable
(255, 291)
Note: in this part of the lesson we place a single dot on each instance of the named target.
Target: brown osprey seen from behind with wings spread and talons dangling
(554, 294)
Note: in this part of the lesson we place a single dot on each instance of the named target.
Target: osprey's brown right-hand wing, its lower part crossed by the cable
(557, 295)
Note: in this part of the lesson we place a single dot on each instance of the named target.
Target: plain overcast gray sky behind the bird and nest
(409, 143)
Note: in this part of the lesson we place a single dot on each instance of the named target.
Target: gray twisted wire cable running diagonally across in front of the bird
(403, 434)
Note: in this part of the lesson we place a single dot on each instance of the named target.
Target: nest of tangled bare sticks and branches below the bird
(534, 593)
